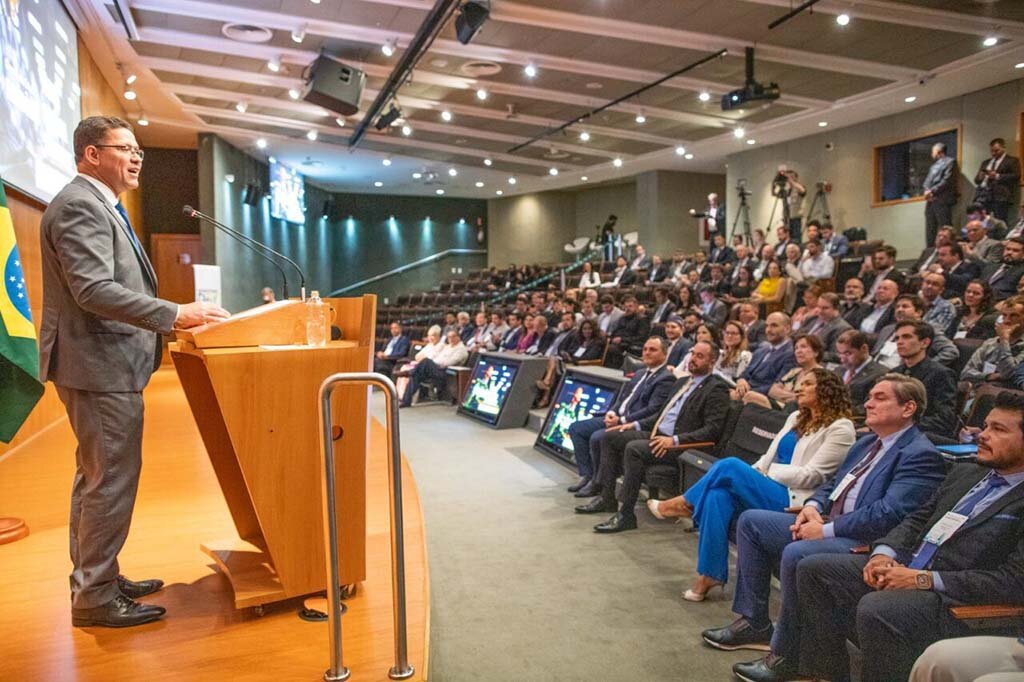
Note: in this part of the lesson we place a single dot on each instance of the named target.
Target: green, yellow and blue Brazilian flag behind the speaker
(20, 388)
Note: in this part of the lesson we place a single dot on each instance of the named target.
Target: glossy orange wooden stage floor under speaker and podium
(180, 506)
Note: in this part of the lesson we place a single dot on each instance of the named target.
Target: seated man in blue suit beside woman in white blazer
(887, 476)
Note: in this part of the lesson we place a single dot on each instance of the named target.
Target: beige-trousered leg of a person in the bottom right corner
(976, 659)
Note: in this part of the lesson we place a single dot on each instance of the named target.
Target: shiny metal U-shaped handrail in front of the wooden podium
(402, 669)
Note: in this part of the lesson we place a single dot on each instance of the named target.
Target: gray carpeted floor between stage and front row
(524, 590)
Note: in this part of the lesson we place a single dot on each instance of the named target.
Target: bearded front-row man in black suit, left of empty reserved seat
(695, 413)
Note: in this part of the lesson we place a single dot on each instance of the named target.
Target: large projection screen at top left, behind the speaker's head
(40, 100)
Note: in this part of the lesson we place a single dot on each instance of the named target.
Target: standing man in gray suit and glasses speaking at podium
(100, 344)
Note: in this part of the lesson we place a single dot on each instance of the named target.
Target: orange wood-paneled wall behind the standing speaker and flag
(98, 99)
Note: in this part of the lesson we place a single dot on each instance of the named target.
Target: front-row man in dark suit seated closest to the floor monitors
(642, 398)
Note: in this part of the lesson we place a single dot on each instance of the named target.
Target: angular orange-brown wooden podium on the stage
(252, 387)
